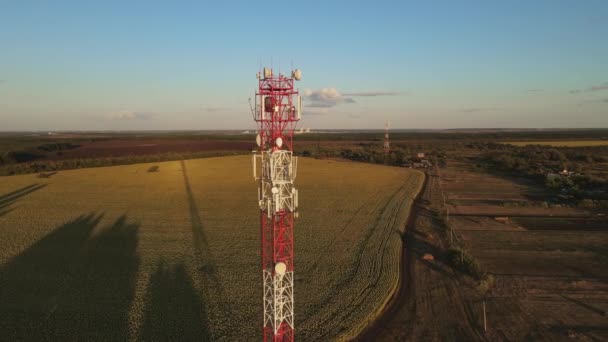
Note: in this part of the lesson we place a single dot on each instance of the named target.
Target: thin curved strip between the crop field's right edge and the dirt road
(398, 288)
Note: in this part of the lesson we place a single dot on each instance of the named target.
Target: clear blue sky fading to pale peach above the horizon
(77, 65)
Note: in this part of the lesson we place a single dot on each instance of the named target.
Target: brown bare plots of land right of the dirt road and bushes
(550, 264)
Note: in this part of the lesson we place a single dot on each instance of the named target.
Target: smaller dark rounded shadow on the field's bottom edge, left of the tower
(174, 310)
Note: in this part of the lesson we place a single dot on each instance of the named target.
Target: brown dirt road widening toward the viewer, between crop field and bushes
(433, 302)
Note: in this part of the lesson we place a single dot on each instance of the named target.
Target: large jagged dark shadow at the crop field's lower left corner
(71, 285)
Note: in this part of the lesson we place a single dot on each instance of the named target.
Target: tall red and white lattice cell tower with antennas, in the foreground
(277, 110)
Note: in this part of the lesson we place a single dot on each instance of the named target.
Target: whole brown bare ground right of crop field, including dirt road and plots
(550, 266)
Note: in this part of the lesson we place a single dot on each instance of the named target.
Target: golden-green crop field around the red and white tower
(121, 253)
